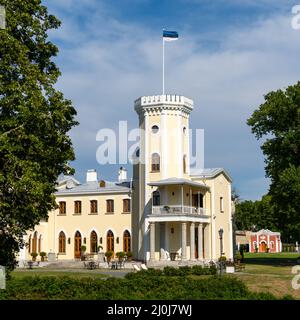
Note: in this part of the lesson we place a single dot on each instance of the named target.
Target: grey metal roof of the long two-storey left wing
(94, 188)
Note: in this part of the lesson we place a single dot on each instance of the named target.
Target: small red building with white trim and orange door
(265, 241)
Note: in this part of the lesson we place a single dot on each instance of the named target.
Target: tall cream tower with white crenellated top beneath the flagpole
(161, 176)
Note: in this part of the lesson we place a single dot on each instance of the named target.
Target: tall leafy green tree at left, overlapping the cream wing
(34, 121)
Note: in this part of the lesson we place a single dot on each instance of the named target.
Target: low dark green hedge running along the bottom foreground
(150, 286)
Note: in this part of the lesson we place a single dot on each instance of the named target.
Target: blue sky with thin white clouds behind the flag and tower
(229, 54)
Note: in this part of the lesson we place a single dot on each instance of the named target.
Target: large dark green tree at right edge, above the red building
(277, 121)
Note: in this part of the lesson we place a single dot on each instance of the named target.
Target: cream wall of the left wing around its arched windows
(85, 223)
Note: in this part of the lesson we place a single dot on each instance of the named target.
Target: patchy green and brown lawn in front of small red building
(270, 272)
